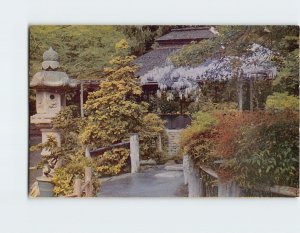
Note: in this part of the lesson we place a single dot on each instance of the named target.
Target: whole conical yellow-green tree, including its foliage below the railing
(115, 110)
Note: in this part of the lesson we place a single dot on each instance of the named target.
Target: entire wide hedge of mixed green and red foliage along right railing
(260, 148)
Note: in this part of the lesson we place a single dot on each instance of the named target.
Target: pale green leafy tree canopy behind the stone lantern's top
(83, 50)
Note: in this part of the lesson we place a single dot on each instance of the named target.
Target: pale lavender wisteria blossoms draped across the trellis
(257, 63)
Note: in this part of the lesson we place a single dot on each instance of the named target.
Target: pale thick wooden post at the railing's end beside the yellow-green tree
(134, 152)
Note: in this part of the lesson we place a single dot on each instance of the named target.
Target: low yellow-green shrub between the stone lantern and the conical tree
(70, 155)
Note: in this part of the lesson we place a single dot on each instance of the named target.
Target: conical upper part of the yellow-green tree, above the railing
(113, 111)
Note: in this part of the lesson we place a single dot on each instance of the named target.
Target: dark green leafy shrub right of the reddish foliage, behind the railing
(267, 151)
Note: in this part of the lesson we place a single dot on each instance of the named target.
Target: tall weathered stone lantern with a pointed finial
(50, 85)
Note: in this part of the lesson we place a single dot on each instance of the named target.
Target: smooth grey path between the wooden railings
(153, 182)
